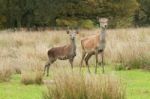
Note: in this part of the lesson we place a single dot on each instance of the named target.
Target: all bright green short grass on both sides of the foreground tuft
(137, 84)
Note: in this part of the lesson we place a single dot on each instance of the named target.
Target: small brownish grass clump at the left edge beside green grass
(5, 75)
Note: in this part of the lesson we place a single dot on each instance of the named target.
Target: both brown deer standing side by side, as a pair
(92, 45)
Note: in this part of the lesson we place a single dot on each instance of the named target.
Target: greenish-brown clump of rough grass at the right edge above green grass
(134, 60)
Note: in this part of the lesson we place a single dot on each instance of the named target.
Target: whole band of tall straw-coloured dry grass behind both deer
(23, 50)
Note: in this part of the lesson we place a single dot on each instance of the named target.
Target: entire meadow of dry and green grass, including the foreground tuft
(23, 56)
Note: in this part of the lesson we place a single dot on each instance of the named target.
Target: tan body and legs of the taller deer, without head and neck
(90, 47)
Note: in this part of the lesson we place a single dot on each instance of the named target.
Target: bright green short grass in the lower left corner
(15, 90)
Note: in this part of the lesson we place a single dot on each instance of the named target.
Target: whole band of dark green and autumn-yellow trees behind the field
(83, 13)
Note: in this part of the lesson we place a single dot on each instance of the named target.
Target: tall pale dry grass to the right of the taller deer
(131, 47)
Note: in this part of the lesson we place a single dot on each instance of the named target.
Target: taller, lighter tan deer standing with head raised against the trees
(95, 44)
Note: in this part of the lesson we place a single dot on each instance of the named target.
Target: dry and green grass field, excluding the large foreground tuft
(24, 53)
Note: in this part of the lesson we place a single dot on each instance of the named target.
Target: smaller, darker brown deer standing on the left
(66, 52)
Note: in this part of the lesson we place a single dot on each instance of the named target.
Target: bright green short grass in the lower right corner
(137, 83)
